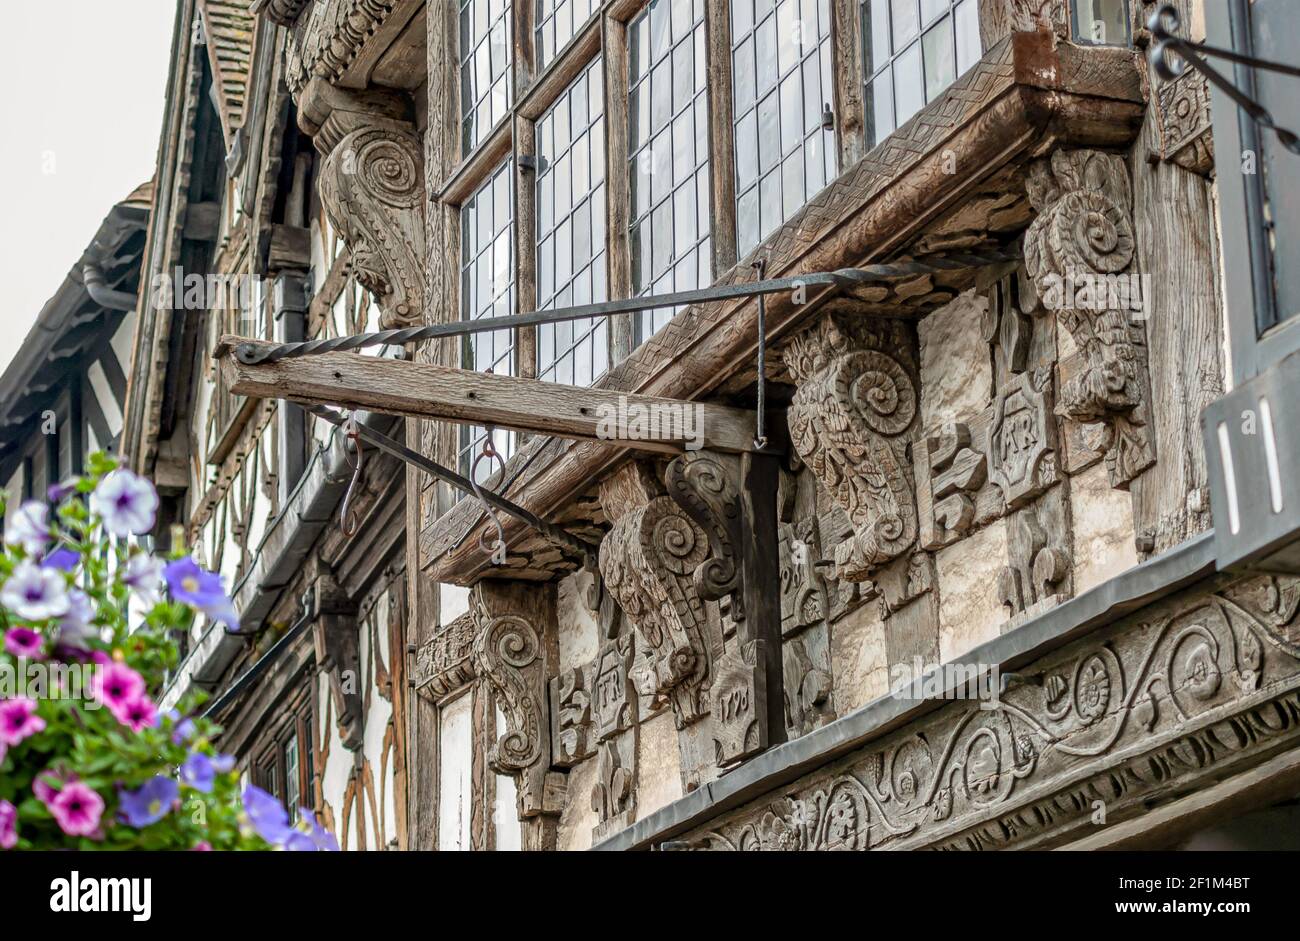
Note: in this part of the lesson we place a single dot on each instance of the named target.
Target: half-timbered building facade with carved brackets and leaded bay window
(895, 526)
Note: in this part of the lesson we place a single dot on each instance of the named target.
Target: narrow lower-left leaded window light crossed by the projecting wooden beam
(488, 290)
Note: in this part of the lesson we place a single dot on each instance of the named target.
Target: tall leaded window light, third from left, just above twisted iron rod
(669, 145)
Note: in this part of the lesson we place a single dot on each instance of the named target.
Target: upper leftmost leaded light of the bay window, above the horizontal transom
(487, 96)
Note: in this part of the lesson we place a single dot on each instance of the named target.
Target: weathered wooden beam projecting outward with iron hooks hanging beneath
(470, 398)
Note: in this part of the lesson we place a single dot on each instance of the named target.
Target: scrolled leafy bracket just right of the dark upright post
(851, 422)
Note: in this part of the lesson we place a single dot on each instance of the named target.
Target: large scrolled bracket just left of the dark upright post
(649, 561)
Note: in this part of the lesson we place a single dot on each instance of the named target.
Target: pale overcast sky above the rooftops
(83, 86)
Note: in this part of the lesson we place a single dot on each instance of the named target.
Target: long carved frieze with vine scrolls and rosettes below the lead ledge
(1195, 688)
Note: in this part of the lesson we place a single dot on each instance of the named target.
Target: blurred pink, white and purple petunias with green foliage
(89, 619)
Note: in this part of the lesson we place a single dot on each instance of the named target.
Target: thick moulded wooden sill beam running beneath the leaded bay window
(1028, 93)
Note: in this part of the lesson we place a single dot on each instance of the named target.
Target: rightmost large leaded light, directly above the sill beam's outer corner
(913, 50)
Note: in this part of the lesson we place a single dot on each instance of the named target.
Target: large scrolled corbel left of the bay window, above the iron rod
(372, 188)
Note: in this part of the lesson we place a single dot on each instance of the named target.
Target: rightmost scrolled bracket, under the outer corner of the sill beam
(1074, 251)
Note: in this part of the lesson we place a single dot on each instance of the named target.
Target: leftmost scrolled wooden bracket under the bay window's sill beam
(514, 645)
